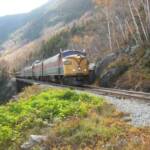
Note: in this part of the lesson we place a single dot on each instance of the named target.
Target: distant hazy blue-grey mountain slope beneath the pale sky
(28, 27)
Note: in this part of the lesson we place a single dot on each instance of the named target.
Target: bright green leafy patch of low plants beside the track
(17, 118)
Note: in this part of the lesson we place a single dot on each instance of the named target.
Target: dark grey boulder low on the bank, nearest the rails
(112, 75)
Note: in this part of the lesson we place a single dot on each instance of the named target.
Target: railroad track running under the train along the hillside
(97, 90)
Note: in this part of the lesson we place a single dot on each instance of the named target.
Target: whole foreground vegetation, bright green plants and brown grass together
(79, 121)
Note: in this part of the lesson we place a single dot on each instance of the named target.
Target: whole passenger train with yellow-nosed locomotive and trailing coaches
(68, 66)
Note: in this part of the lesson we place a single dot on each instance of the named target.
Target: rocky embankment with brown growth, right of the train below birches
(129, 70)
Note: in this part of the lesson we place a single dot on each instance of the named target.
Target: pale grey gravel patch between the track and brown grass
(139, 110)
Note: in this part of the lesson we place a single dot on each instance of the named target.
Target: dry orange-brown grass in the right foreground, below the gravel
(100, 131)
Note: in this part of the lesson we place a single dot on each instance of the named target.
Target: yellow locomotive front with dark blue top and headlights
(75, 66)
